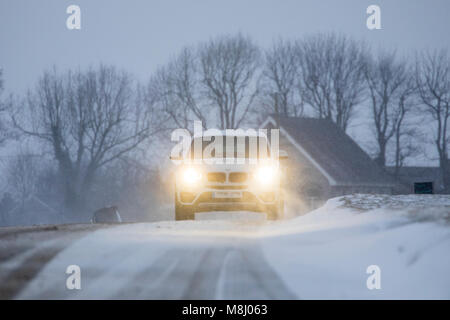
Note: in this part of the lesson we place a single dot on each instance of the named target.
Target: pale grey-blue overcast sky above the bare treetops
(140, 35)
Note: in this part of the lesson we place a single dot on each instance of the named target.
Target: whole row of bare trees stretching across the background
(94, 126)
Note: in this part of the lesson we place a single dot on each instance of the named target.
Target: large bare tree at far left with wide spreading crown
(89, 119)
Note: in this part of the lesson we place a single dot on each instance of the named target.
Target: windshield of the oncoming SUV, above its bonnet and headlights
(231, 147)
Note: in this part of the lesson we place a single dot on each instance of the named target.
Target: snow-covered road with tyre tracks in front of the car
(169, 260)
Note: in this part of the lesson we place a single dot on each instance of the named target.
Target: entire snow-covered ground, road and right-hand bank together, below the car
(324, 254)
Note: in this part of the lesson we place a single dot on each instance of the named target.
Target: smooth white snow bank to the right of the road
(325, 254)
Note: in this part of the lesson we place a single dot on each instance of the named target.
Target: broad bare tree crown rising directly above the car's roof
(215, 80)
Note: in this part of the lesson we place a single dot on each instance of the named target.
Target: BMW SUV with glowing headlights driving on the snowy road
(242, 181)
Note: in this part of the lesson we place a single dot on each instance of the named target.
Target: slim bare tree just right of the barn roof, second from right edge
(389, 86)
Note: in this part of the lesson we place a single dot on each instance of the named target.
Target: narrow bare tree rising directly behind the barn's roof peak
(280, 80)
